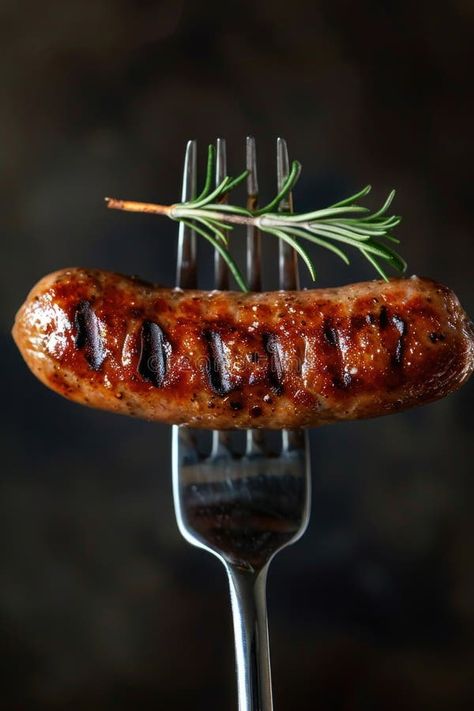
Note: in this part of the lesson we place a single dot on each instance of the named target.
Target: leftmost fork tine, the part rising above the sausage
(186, 277)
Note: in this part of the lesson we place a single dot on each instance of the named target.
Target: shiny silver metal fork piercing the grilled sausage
(242, 509)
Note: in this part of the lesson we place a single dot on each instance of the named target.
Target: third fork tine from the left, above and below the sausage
(254, 444)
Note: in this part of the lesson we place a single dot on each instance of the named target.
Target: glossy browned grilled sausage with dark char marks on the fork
(232, 360)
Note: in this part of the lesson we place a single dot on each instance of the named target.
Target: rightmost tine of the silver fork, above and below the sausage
(289, 277)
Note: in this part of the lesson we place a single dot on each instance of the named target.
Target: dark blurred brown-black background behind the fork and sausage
(102, 604)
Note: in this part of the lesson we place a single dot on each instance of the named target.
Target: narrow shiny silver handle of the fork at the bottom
(249, 612)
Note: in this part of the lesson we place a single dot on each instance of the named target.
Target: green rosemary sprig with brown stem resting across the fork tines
(344, 223)
